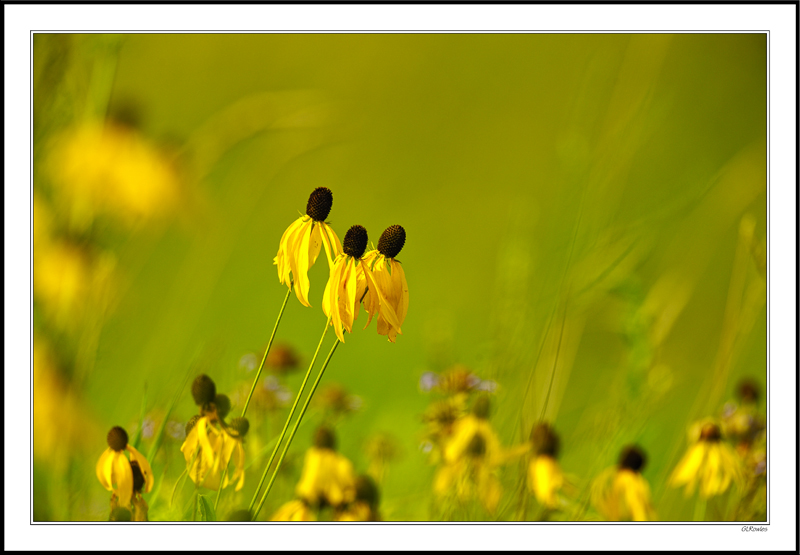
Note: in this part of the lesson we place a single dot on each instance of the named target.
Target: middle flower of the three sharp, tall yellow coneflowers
(348, 282)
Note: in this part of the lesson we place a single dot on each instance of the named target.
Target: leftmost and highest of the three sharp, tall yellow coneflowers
(301, 242)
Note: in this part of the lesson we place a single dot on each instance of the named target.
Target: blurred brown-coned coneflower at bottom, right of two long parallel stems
(327, 477)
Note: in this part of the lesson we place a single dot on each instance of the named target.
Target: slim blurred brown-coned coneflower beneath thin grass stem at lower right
(545, 478)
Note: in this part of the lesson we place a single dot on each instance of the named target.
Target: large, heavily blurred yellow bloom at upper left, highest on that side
(106, 167)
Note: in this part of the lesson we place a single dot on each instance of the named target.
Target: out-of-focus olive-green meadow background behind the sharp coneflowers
(586, 246)
